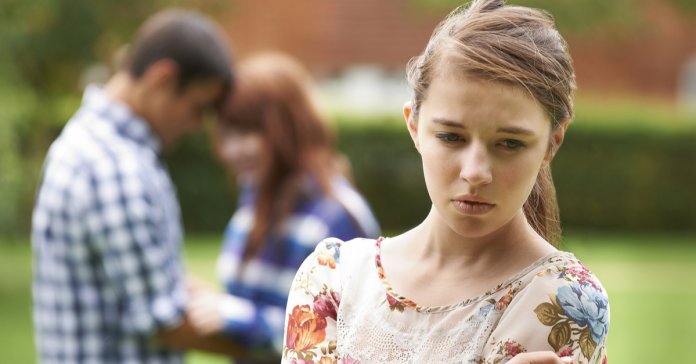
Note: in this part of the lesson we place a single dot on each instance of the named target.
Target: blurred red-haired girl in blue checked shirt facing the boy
(279, 149)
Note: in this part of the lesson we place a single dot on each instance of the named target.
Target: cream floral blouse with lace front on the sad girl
(342, 309)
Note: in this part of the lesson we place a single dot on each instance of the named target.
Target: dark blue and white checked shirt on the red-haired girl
(258, 288)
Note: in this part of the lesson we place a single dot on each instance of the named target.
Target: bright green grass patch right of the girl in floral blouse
(652, 290)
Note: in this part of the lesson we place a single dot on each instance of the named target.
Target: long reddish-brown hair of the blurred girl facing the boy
(272, 97)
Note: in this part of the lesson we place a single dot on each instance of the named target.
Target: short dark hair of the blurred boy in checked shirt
(189, 39)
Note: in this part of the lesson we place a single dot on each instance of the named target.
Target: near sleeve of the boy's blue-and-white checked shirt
(137, 240)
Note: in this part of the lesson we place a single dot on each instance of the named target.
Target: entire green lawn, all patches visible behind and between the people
(650, 280)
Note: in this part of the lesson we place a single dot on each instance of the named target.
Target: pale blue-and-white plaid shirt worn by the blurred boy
(106, 234)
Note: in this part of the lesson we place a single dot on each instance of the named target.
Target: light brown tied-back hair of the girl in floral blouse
(510, 44)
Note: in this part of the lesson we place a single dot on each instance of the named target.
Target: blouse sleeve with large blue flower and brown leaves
(564, 310)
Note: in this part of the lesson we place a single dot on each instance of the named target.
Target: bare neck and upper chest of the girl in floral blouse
(434, 265)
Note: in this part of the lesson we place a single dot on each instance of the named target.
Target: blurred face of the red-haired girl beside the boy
(244, 152)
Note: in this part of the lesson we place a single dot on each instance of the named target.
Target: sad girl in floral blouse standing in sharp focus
(480, 280)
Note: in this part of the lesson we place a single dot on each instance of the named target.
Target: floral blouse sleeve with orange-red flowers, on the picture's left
(310, 322)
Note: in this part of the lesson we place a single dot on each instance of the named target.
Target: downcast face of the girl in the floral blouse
(482, 145)
